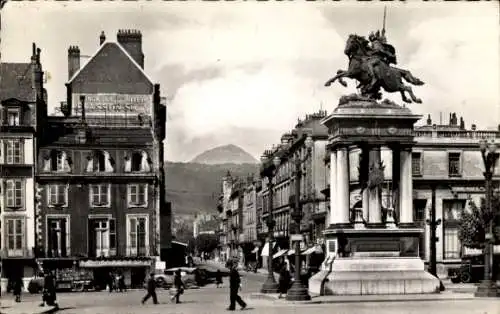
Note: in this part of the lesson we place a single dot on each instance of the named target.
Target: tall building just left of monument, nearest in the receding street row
(312, 183)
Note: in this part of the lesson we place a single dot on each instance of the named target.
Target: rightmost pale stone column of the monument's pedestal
(405, 188)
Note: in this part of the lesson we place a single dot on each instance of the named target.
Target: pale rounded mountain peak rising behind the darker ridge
(223, 155)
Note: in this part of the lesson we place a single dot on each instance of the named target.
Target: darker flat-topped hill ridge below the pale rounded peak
(195, 187)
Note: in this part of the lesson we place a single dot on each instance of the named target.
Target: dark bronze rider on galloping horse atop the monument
(370, 63)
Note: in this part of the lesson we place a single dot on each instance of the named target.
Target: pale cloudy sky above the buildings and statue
(243, 72)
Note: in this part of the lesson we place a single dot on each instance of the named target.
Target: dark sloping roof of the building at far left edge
(16, 82)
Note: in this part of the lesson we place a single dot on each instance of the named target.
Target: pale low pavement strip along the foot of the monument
(444, 296)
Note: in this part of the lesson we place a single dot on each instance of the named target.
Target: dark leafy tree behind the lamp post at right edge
(474, 223)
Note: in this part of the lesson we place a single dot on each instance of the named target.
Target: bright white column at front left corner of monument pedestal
(342, 183)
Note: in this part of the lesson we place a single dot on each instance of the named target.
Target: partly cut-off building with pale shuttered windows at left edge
(23, 100)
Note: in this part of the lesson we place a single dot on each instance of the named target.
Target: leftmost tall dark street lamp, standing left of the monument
(270, 286)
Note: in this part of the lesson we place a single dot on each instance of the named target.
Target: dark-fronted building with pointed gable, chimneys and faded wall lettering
(100, 175)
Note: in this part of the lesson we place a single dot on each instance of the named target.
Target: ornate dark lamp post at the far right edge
(487, 287)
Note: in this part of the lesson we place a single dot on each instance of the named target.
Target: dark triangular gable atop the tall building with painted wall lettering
(111, 70)
